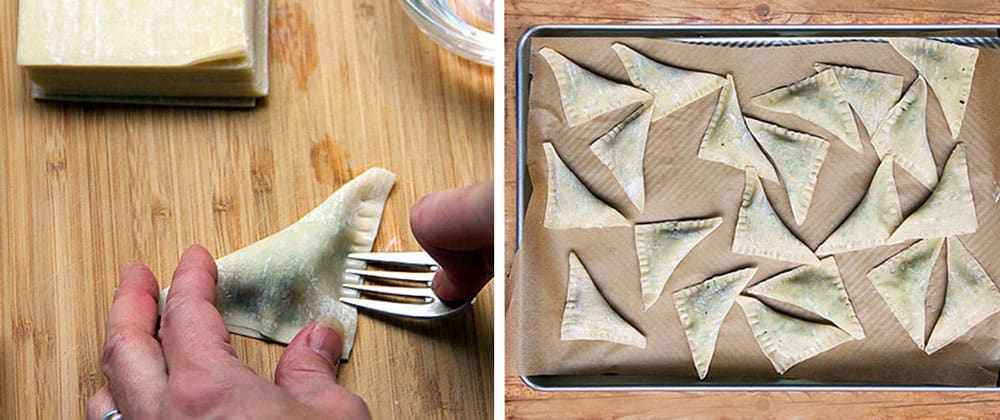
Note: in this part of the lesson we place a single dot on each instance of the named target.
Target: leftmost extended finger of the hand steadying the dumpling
(132, 358)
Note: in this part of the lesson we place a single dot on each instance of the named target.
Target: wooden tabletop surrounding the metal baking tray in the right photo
(522, 402)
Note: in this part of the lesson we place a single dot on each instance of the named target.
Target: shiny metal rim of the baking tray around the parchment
(694, 33)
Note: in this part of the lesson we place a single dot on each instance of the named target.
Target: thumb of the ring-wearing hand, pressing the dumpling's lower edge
(308, 371)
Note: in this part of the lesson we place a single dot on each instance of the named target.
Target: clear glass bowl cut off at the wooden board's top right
(464, 27)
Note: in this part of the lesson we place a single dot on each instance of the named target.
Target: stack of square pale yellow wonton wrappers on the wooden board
(179, 52)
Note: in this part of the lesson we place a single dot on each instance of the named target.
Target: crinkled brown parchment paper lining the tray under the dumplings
(680, 186)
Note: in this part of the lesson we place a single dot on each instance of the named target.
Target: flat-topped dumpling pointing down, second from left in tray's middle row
(662, 246)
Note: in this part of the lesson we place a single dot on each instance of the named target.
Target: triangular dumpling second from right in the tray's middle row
(872, 221)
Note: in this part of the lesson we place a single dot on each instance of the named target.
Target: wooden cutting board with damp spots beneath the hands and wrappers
(85, 189)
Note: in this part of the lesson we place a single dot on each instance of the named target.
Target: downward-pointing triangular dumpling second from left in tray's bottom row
(703, 307)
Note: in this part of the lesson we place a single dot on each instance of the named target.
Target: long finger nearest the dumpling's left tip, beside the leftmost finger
(193, 333)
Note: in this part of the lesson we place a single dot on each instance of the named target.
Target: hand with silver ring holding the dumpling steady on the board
(189, 370)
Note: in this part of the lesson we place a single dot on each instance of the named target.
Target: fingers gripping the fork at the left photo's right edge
(456, 228)
